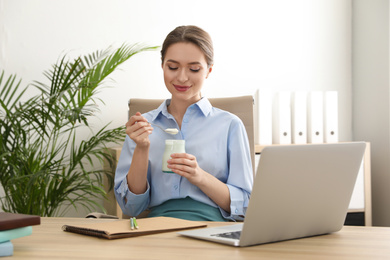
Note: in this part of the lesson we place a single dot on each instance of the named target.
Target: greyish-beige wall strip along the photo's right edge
(371, 101)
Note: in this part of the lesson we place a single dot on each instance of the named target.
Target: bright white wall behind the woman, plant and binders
(276, 45)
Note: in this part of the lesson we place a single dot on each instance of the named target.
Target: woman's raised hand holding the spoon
(139, 129)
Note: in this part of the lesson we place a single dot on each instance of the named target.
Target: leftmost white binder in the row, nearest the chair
(263, 117)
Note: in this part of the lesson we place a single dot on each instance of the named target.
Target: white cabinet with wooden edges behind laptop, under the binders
(361, 198)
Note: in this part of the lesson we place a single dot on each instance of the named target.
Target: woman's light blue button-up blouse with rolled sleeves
(215, 137)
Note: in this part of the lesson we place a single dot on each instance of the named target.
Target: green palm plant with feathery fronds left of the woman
(43, 169)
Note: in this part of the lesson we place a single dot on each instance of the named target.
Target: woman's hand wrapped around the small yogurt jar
(186, 165)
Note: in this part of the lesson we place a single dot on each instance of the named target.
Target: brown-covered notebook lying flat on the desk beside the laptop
(122, 228)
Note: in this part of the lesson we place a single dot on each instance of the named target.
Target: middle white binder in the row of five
(299, 117)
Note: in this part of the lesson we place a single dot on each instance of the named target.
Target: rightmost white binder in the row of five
(331, 133)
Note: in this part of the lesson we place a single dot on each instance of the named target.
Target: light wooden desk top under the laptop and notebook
(48, 241)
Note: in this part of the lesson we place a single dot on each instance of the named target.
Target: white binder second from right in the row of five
(315, 117)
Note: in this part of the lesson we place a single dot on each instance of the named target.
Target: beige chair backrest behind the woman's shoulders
(240, 106)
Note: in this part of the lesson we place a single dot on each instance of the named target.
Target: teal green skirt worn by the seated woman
(188, 209)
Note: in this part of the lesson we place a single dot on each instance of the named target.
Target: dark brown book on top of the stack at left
(16, 220)
